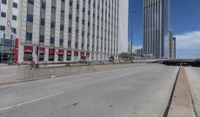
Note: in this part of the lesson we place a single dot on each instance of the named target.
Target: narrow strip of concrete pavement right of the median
(194, 80)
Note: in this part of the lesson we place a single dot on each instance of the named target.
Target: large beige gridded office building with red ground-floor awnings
(67, 30)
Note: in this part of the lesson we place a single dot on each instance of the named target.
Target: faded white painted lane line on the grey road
(31, 101)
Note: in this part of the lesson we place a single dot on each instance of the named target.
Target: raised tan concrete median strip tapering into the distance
(181, 104)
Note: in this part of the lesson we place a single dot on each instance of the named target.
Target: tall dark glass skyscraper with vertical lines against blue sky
(156, 28)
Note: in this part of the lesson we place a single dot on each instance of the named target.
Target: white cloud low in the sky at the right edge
(188, 44)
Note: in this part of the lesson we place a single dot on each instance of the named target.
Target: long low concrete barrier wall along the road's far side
(26, 73)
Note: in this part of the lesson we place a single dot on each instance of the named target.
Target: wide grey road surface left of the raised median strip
(141, 91)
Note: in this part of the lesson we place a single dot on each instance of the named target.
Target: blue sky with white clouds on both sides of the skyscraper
(185, 25)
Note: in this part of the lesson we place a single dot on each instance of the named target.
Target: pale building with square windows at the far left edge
(8, 27)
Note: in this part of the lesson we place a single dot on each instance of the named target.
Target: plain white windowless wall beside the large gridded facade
(123, 24)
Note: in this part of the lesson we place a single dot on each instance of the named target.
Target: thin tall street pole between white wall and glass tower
(132, 28)
